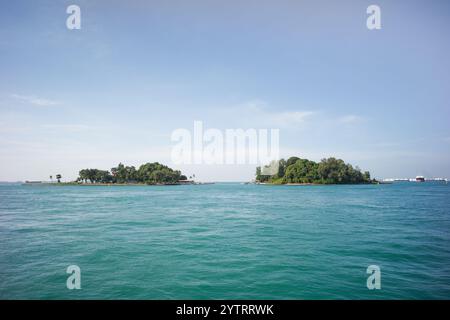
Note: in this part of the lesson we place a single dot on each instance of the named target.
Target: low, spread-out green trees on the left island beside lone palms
(149, 173)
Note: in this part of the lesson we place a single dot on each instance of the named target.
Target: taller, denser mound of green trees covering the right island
(327, 171)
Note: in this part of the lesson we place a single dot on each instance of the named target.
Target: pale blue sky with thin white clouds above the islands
(116, 89)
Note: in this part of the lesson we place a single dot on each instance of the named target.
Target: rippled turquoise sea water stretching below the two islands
(225, 241)
